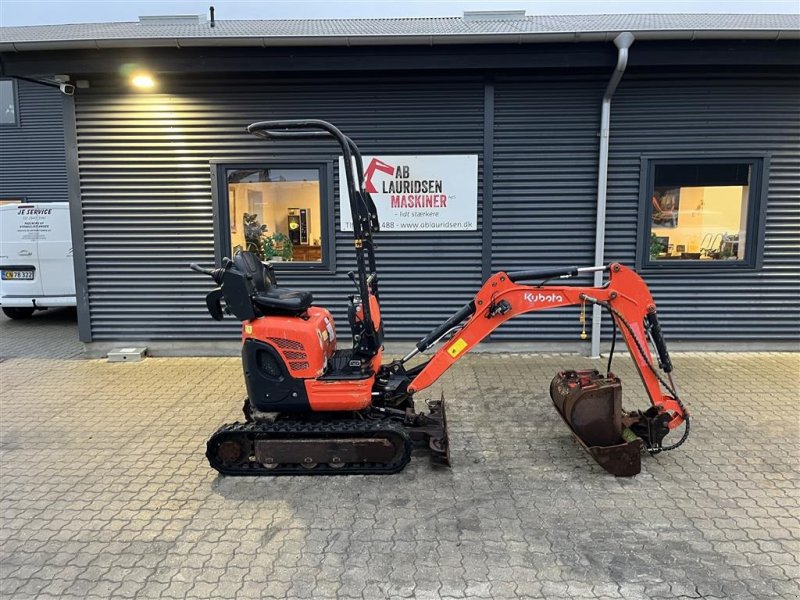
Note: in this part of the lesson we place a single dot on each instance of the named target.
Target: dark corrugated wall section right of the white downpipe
(693, 114)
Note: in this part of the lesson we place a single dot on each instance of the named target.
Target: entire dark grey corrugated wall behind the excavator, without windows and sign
(144, 171)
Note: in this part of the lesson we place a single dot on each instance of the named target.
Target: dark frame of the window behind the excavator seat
(221, 209)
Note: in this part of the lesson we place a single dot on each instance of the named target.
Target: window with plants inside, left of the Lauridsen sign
(280, 212)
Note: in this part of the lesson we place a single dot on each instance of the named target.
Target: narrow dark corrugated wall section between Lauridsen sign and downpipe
(545, 186)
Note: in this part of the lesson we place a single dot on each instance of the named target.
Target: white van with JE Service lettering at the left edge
(36, 269)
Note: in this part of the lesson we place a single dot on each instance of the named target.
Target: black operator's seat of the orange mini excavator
(268, 297)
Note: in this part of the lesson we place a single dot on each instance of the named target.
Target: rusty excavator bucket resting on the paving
(591, 406)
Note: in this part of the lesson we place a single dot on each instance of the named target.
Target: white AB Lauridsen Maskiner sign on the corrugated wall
(436, 192)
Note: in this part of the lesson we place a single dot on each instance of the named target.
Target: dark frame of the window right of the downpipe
(756, 211)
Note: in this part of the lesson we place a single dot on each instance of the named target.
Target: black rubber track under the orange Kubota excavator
(295, 447)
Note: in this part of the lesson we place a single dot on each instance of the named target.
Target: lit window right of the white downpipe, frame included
(701, 212)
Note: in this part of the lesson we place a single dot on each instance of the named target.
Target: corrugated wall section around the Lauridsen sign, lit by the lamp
(147, 208)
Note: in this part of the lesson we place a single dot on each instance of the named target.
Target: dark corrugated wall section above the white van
(32, 156)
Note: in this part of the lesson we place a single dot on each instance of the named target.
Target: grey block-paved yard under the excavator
(105, 491)
